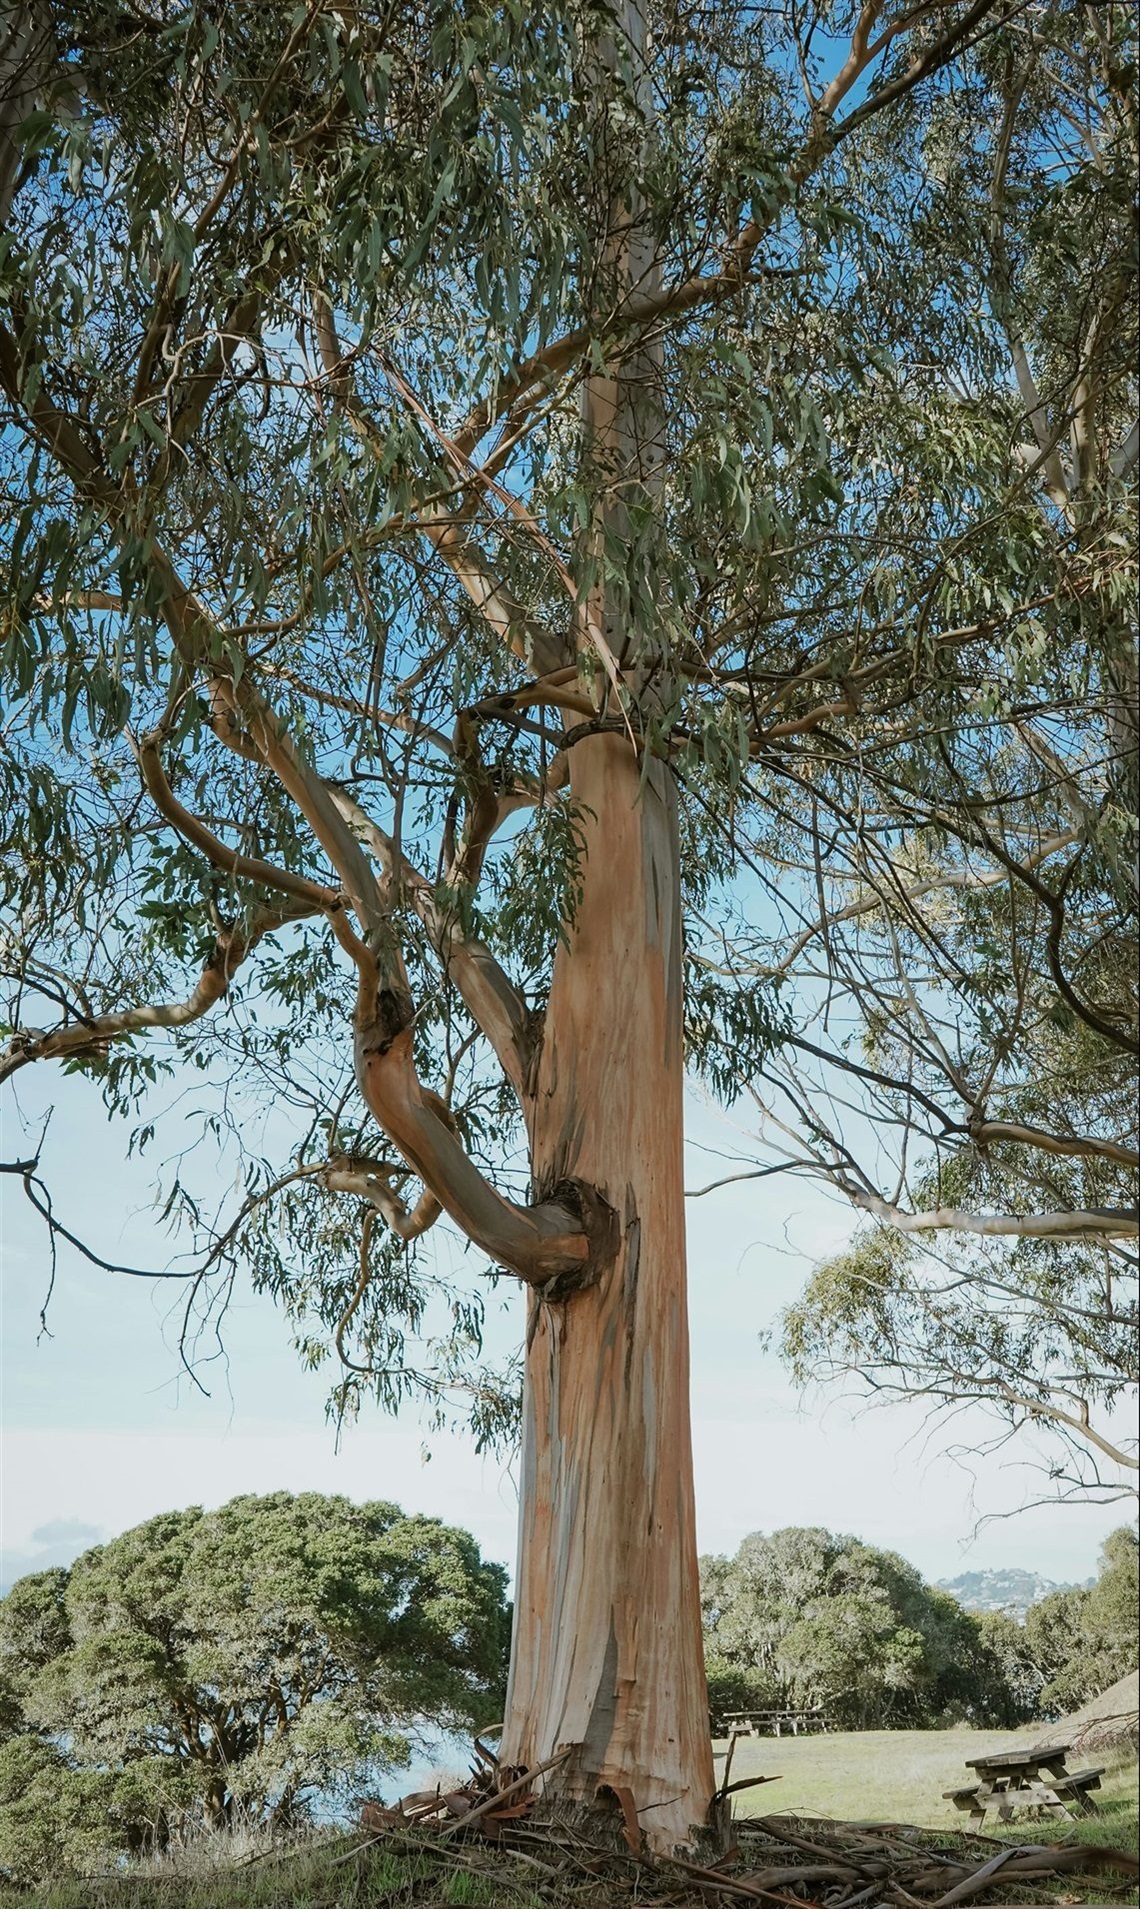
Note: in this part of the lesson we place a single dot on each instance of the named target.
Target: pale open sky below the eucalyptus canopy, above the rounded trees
(102, 1429)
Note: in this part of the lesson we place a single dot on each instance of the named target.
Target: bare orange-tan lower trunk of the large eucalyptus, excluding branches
(606, 1658)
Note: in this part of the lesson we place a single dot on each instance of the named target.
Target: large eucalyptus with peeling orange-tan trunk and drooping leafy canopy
(496, 501)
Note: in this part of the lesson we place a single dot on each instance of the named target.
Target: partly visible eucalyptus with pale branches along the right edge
(958, 894)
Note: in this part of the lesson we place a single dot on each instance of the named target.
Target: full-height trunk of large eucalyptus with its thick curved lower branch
(606, 1654)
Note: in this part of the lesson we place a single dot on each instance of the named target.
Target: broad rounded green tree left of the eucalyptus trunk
(238, 1658)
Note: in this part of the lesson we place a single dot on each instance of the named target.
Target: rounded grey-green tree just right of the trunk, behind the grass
(816, 1620)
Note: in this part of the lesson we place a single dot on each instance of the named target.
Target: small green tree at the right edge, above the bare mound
(1084, 1641)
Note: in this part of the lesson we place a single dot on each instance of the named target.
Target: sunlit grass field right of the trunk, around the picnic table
(898, 1776)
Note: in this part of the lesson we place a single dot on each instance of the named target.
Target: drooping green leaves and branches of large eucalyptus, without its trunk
(303, 541)
